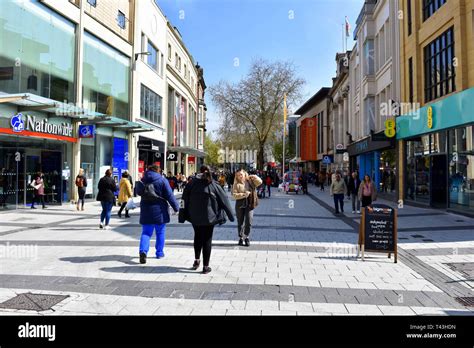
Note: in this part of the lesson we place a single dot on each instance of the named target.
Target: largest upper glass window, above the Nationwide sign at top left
(37, 51)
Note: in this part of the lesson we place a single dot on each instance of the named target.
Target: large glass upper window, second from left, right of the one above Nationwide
(105, 78)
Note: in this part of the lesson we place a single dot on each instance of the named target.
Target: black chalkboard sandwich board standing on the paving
(378, 230)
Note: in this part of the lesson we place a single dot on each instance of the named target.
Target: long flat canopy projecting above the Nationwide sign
(33, 102)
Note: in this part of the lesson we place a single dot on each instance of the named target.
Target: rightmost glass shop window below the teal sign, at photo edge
(461, 168)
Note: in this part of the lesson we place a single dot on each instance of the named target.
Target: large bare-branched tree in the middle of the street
(252, 109)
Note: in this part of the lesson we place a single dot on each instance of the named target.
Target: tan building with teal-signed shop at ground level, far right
(436, 137)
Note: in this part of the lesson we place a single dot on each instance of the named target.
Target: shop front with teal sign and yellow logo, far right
(438, 149)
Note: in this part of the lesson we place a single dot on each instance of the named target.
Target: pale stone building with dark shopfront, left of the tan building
(375, 92)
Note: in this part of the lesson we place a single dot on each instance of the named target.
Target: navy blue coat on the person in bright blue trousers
(156, 213)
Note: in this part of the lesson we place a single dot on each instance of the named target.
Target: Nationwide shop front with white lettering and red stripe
(33, 142)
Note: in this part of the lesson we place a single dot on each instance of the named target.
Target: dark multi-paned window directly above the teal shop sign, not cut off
(440, 76)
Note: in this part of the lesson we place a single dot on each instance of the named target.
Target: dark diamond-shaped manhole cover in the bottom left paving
(33, 302)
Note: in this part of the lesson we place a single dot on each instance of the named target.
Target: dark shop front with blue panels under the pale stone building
(375, 156)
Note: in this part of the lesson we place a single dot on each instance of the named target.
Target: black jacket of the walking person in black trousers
(200, 206)
